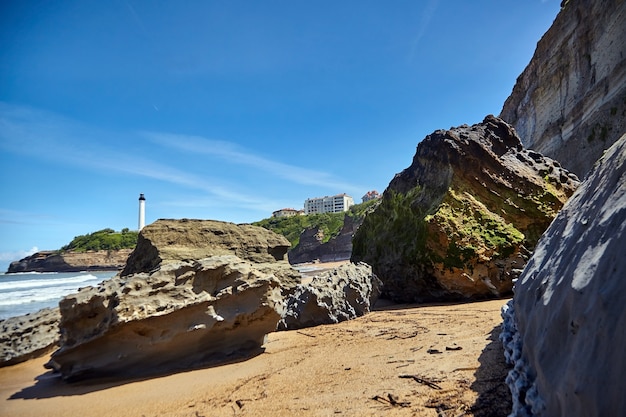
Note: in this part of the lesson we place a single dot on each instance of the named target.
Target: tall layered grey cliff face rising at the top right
(570, 101)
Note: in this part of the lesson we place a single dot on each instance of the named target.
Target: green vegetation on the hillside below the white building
(329, 223)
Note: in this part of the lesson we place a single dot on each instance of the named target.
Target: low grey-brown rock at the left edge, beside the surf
(29, 336)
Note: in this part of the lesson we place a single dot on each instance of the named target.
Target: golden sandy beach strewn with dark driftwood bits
(399, 360)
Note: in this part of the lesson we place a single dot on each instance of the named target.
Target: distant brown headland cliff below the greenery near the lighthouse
(55, 261)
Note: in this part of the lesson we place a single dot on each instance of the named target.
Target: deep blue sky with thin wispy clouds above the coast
(229, 110)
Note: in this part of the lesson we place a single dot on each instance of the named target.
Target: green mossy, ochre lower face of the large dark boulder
(423, 227)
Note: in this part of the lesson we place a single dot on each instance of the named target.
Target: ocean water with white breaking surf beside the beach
(24, 293)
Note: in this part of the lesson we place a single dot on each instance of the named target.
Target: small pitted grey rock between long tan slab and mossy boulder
(344, 293)
